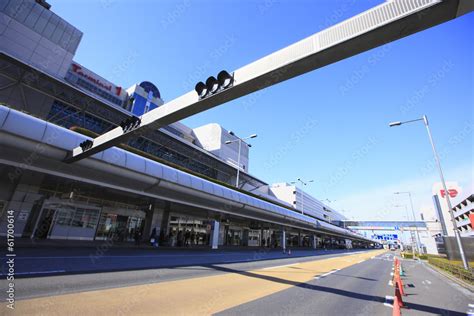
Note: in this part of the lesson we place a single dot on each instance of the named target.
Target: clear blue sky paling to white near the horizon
(329, 125)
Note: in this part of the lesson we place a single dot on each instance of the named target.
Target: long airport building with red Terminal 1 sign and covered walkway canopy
(176, 184)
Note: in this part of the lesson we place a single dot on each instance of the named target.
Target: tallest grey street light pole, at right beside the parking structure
(448, 200)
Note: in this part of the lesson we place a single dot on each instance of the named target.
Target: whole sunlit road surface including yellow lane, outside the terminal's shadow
(354, 283)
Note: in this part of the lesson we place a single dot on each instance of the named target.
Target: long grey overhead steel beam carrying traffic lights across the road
(382, 24)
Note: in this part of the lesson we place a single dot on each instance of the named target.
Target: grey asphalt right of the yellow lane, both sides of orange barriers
(364, 289)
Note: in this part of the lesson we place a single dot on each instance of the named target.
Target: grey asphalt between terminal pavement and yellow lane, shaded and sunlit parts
(128, 267)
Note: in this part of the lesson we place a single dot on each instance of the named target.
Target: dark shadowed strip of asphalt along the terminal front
(49, 261)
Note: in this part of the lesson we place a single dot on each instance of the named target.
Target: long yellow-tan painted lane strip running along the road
(196, 296)
